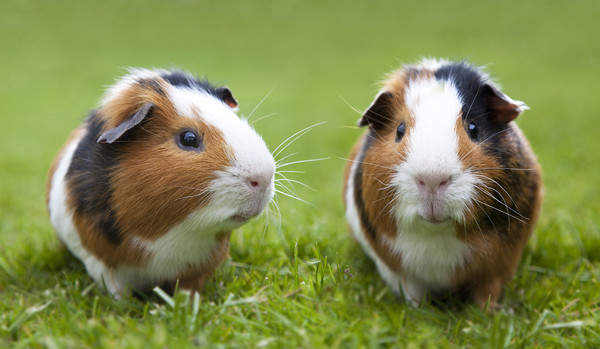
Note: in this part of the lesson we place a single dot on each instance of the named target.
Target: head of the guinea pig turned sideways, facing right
(180, 153)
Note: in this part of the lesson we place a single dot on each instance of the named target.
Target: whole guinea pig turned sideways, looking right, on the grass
(148, 189)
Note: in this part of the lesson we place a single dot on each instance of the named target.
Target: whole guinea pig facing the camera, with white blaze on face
(443, 190)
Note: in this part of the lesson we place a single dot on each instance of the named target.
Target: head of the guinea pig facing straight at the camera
(440, 135)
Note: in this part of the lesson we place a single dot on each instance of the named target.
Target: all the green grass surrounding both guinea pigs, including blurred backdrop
(301, 282)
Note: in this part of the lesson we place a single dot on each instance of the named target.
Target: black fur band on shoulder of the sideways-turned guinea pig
(89, 178)
